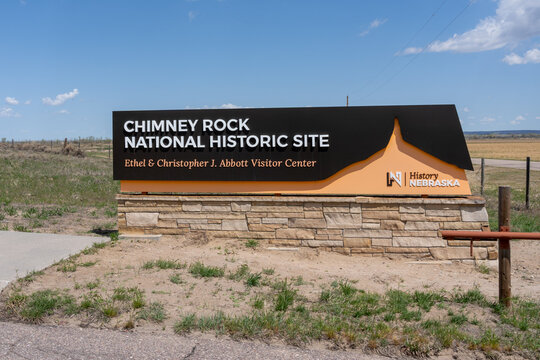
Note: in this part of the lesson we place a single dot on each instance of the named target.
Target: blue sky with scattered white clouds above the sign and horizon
(65, 65)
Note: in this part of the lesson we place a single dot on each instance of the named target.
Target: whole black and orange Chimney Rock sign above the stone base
(393, 150)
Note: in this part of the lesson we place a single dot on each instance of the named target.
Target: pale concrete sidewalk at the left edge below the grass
(22, 252)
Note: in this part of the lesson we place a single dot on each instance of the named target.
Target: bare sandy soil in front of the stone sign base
(121, 265)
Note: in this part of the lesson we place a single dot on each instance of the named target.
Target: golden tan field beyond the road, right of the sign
(512, 149)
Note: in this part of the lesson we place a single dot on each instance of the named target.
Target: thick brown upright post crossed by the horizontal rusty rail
(505, 282)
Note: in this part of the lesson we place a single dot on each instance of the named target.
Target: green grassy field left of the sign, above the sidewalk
(44, 191)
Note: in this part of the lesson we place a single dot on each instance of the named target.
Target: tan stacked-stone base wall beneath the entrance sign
(348, 225)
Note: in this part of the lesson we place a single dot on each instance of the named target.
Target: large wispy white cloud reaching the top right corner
(514, 21)
